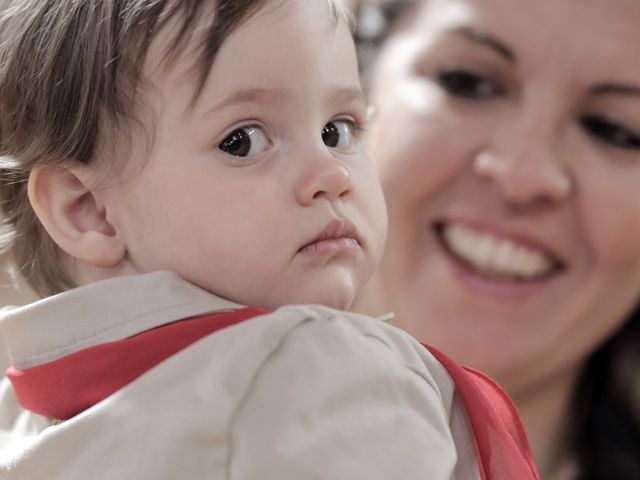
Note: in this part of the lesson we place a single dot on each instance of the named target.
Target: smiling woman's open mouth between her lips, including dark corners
(497, 258)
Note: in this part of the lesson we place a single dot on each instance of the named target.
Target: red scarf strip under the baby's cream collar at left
(65, 387)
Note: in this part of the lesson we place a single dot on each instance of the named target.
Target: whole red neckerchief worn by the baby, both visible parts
(65, 387)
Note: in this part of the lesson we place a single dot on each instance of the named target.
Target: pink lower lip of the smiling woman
(484, 285)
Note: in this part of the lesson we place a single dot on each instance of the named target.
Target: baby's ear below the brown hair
(73, 216)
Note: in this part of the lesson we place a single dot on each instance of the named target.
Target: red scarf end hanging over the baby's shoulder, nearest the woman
(502, 446)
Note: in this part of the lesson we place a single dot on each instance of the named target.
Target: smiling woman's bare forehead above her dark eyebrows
(598, 32)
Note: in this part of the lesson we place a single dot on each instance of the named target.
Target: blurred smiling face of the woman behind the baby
(507, 137)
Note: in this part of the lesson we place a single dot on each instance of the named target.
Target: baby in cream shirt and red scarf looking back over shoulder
(174, 174)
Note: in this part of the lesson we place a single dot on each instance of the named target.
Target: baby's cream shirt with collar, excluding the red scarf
(306, 392)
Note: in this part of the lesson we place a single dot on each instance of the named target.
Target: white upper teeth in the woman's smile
(496, 257)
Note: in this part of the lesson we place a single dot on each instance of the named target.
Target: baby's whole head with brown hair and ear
(220, 140)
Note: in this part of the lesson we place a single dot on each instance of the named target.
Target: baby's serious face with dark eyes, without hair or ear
(262, 192)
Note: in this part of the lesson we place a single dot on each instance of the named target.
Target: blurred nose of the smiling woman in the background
(527, 168)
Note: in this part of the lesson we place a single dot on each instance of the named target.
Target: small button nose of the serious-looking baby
(323, 176)
